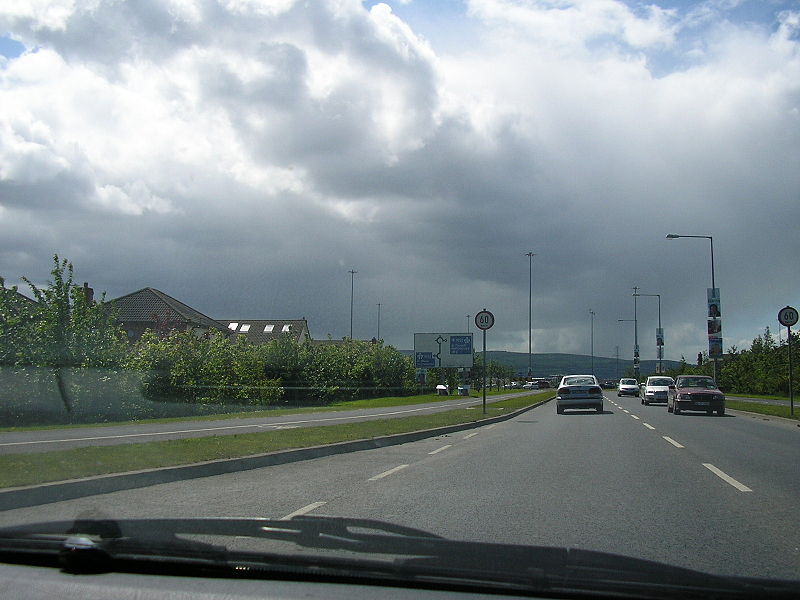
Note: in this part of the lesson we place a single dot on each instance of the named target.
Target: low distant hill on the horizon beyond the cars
(546, 364)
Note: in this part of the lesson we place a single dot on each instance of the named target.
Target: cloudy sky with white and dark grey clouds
(243, 156)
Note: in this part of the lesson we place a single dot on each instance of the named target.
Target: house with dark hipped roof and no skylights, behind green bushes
(150, 308)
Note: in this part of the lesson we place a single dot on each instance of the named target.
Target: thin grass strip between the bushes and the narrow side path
(276, 412)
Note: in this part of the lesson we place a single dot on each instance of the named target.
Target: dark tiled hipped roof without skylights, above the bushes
(149, 305)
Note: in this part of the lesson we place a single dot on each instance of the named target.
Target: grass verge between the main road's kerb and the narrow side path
(35, 468)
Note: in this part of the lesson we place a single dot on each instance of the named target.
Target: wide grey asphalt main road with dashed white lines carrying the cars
(715, 493)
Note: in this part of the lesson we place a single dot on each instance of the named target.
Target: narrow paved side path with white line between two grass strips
(44, 440)
